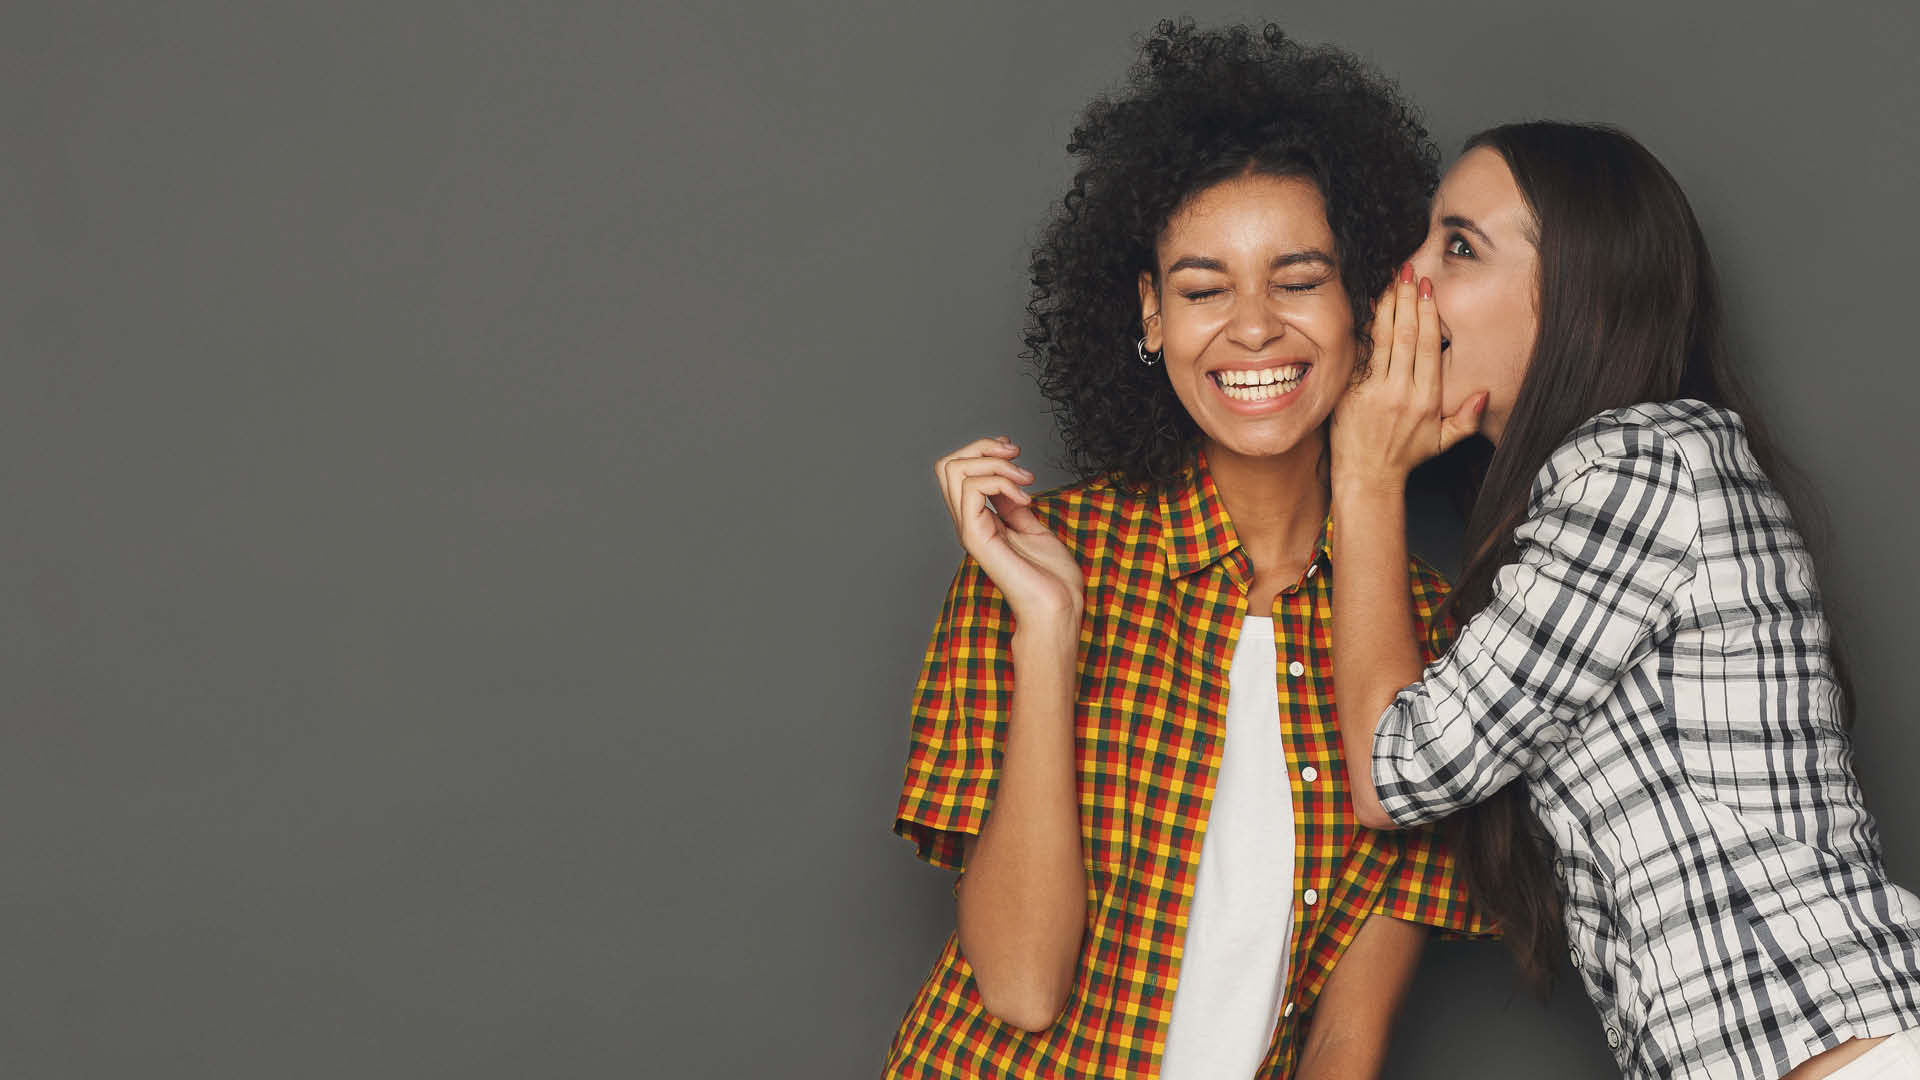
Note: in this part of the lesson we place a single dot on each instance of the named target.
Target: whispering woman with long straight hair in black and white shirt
(1644, 704)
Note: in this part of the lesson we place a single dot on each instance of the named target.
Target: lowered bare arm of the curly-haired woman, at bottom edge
(1356, 1010)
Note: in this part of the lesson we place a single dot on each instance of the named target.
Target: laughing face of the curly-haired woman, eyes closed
(1251, 316)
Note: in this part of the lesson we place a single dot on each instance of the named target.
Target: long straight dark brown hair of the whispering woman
(1629, 312)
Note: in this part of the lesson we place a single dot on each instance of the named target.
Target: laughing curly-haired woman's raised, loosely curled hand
(996, 522)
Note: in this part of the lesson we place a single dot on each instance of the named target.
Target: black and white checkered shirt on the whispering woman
(1656, 666)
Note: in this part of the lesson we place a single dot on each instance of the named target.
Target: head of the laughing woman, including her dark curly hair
(1239, 205)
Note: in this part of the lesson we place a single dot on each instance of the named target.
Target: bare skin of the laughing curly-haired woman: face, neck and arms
(1247, 280)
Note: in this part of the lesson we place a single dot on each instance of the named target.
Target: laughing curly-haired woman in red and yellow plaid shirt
(1124, 731)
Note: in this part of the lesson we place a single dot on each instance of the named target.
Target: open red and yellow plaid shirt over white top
(1166, 591)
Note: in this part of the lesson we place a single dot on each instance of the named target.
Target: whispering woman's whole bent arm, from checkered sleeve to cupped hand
(1608, 545)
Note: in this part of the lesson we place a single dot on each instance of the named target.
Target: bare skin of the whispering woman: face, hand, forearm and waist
(1443, 370)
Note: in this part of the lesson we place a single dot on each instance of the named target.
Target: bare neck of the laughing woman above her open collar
(1278, 503)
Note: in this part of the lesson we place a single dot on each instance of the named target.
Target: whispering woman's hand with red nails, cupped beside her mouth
(1391, 422)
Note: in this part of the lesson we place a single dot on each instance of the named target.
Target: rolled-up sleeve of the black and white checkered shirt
(1608, 545)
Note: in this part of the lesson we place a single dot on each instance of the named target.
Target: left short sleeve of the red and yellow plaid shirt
(959, 722)
